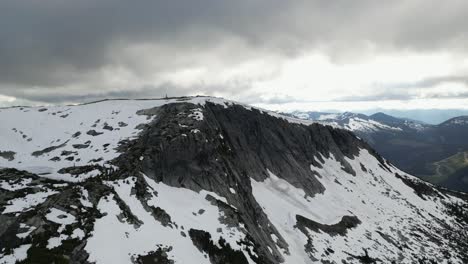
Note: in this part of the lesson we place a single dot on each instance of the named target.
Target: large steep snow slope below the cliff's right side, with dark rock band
(386, 212)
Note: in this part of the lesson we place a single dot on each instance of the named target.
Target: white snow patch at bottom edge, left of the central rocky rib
(109, 233)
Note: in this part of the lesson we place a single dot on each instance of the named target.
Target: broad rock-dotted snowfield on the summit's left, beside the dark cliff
(44, 140)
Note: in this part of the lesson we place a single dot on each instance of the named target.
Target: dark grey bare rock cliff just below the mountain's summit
(236, 142)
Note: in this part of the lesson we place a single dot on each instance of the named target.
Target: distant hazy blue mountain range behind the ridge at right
(436, 153)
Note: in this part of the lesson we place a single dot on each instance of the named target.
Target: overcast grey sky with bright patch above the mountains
(282, 55)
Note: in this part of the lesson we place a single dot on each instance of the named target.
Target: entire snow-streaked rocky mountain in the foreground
(205, 180)
